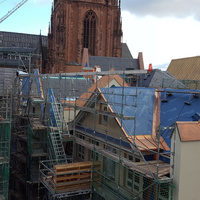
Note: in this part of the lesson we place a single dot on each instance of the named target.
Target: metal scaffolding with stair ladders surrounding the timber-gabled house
(51, 129)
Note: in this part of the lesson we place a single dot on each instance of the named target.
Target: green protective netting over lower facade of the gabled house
(112, 180)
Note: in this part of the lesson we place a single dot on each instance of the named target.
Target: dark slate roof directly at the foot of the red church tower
(107, 63)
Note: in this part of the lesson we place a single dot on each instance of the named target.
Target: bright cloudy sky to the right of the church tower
(162, 29)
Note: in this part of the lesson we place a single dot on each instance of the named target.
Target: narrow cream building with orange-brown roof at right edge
(186, 145)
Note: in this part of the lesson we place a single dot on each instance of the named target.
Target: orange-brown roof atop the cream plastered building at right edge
(189, 131)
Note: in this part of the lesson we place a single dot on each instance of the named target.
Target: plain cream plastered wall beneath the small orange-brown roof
(186, 169)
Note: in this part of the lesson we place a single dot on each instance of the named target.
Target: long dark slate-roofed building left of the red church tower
(22, 51)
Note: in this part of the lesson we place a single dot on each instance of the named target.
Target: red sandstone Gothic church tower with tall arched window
(79, 24)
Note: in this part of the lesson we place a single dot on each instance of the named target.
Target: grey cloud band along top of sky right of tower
(163, 8)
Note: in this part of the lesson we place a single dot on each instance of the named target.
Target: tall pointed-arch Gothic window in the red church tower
(89, 34)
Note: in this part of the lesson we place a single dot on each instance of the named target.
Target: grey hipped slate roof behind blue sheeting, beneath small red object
(158, 78)
